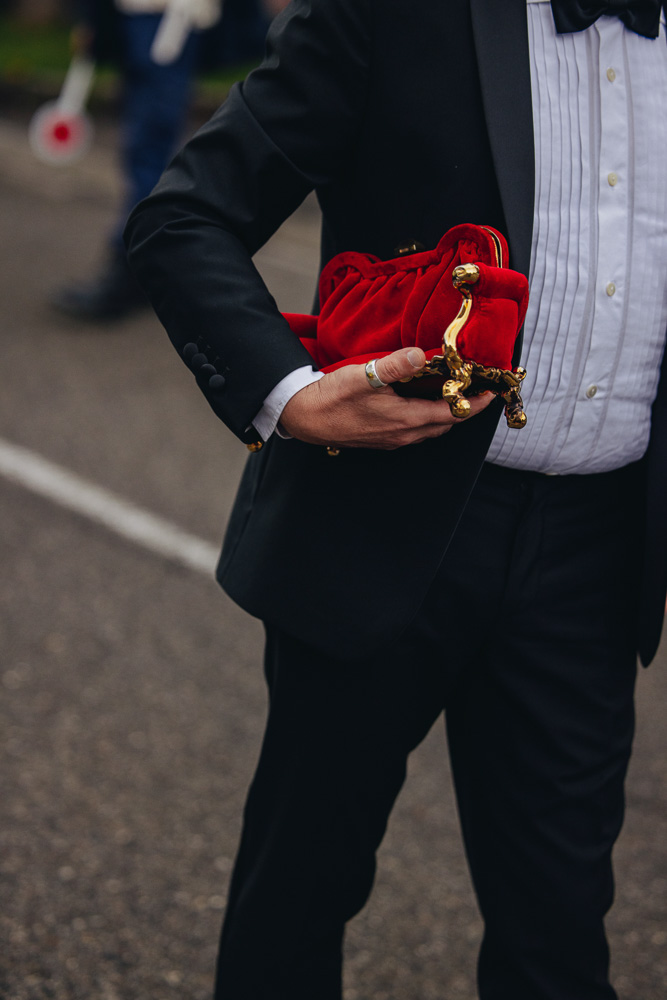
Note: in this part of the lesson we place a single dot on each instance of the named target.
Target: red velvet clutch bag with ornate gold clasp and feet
(459, 302)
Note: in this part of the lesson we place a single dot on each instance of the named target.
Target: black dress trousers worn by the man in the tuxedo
(527, 641)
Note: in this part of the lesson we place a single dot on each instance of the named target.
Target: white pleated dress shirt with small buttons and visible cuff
(595, 329)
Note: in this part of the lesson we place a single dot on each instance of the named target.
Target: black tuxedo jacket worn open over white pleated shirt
(406, 119)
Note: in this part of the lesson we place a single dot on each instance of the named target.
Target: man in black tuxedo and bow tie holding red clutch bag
(407, 575)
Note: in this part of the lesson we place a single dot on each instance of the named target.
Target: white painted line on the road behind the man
(118, 515)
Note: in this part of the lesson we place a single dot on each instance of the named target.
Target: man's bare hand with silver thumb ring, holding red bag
(343, 410)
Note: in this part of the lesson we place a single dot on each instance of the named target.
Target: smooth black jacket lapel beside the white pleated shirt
(500, 29)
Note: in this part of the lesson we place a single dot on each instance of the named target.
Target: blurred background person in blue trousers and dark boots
(156, 98)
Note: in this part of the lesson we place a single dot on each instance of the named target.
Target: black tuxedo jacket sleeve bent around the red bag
(288, 129)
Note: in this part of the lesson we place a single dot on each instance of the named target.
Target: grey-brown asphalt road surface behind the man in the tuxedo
(132, 696)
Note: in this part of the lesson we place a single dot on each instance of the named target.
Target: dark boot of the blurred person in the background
(114, 294)
